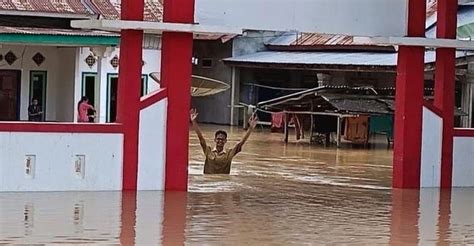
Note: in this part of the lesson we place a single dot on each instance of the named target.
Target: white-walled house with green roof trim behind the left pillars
(42, 57)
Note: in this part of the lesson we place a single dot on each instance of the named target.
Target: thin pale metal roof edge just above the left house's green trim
(53, 31)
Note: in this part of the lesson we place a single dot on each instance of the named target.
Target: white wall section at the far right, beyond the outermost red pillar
(463, 164)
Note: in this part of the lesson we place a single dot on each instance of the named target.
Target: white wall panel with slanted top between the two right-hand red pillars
(431, 144)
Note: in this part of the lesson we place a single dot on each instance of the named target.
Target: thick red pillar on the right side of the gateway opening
(409, 102)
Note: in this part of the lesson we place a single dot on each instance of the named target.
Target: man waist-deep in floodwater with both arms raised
(219, 159)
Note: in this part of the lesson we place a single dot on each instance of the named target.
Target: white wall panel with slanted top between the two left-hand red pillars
(152, 141)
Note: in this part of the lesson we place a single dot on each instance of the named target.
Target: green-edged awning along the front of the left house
(52, 36)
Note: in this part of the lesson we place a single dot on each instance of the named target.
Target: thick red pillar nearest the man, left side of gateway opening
(176, 72)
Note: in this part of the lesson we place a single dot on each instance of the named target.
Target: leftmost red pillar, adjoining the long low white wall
(129, 85)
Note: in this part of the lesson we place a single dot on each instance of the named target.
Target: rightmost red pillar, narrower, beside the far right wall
(445, 83)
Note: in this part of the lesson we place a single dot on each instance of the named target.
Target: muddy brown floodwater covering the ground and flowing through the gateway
(277, 194)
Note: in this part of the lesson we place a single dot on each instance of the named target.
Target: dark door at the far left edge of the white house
(10, 81)
